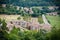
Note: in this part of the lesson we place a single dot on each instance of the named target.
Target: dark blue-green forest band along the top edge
(30, 3)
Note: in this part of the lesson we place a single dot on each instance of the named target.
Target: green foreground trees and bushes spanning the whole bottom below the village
(17, 34)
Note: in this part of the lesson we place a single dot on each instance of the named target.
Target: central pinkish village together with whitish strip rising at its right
(30, 25)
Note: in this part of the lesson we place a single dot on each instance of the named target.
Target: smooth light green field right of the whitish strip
(54, 20)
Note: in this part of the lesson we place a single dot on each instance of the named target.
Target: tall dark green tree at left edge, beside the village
(3, 31)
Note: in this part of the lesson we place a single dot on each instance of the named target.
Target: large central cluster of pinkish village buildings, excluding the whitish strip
(28, 25)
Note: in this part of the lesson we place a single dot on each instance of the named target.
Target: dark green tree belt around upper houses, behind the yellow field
(10, 10)
